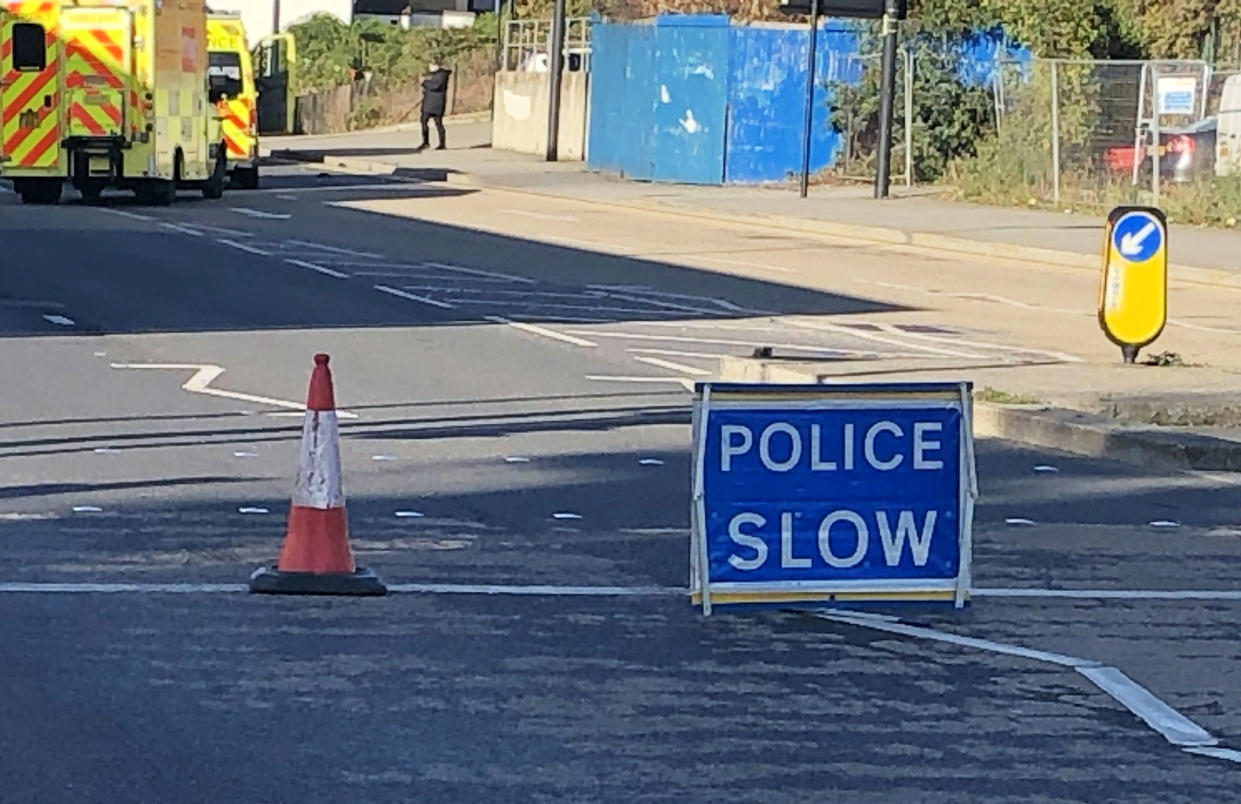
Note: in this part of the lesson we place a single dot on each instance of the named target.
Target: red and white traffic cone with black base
(316, 558)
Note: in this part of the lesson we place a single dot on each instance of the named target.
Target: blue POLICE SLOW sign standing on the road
(832, 493)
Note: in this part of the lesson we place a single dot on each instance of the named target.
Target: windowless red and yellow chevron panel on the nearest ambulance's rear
(96, 80)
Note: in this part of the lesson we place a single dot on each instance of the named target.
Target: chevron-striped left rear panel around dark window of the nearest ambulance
(30, 101)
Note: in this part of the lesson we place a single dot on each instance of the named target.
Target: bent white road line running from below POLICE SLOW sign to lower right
(1172, 725)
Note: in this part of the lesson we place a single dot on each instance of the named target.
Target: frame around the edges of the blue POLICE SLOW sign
(838, 398)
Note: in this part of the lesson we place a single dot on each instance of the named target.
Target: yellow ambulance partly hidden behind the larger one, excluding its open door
(231, 78)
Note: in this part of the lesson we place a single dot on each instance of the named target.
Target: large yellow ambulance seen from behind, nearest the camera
(107, 94)
